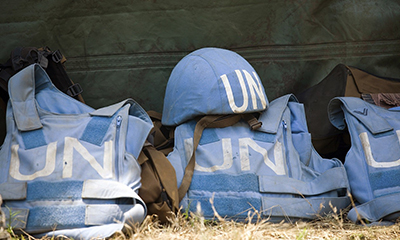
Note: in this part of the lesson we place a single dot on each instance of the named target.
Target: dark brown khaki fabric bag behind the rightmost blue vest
(341, 81)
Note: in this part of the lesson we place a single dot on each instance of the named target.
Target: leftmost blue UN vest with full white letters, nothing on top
(65, 168)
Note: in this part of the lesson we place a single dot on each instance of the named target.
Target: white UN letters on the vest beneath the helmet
(244, 143)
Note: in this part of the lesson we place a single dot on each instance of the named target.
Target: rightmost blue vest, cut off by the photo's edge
(373, 161)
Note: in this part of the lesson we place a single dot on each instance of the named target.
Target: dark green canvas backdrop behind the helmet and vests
(120, 49)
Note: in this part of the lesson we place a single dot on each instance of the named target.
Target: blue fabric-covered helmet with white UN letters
(212, 81)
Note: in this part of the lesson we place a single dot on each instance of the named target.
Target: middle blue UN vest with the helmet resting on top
(273, 170)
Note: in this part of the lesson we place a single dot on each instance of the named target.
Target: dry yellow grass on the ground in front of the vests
(192, 226)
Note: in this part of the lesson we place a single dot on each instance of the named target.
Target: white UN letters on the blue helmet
(254, 85)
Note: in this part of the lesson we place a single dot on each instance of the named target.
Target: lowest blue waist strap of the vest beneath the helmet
(275, 208)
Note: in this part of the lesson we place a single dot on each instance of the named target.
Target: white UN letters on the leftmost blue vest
(70, 145)
